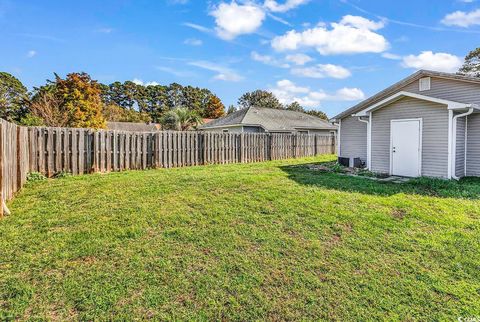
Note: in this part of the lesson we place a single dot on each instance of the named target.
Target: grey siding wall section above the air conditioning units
(353, 138)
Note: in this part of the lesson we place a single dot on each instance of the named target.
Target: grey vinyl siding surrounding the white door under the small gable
(434, 135)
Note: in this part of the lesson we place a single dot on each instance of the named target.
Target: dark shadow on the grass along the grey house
(468, 188)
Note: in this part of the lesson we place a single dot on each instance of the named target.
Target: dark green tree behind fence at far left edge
(13, 98)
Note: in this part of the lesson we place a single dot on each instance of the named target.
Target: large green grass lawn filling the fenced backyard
(271, 240)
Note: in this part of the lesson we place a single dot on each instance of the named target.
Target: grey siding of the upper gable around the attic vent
(453, 90)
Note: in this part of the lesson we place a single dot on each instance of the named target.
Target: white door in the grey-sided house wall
(406, 147)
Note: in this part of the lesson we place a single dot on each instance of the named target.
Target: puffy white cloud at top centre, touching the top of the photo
(233, 19)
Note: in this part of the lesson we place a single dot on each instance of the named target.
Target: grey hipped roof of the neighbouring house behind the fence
(272, 120)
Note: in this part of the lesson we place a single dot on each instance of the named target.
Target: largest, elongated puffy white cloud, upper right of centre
(351, 35)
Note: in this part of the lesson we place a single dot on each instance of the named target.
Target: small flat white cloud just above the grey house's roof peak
(434, 61)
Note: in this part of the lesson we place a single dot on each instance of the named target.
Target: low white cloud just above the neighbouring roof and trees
(287, 92)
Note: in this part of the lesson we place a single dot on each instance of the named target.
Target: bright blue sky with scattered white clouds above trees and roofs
(326, 54)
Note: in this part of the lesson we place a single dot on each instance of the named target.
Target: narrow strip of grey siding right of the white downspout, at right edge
(473, 145)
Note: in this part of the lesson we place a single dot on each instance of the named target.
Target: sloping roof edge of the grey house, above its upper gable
(397, 86)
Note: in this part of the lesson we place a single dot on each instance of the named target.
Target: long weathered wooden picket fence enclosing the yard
(79, 151)
